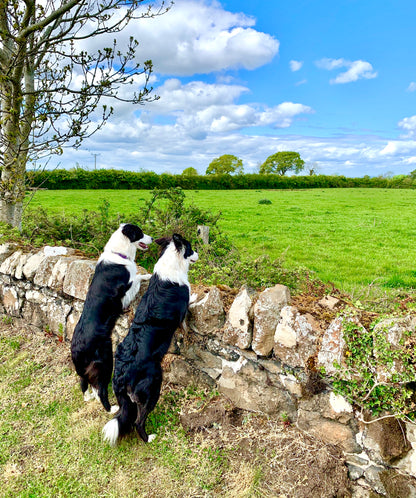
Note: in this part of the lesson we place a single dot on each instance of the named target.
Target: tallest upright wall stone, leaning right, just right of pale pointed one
(266, 316)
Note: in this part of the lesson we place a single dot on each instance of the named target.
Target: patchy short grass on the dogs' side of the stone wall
(51, 445)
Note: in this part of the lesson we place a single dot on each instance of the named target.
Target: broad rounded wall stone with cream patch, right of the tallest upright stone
(296, 337)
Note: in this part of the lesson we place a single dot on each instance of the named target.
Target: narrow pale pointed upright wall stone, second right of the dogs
(237, 328)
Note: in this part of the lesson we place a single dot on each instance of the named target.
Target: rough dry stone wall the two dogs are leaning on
(257, 348)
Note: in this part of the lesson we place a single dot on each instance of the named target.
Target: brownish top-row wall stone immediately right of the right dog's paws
(206, 316)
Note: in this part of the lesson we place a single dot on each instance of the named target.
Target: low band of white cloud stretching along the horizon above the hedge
(171, 148)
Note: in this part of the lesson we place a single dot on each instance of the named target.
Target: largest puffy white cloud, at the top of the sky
(198, 37)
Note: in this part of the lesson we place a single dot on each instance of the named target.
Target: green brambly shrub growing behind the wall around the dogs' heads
(166, 212)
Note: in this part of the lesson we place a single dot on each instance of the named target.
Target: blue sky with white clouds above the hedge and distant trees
(334, 81)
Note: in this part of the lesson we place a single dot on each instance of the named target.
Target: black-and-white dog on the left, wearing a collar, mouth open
(113, 287)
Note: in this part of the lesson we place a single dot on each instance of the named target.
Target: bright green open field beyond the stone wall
(351, 237)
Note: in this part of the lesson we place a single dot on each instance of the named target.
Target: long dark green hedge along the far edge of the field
(119, 179)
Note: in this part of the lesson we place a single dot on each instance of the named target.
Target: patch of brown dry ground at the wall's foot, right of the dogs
(292, 463)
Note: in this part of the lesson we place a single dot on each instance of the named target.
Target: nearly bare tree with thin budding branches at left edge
(51, 87)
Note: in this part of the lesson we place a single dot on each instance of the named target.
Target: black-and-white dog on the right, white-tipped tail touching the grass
(137, 372)
